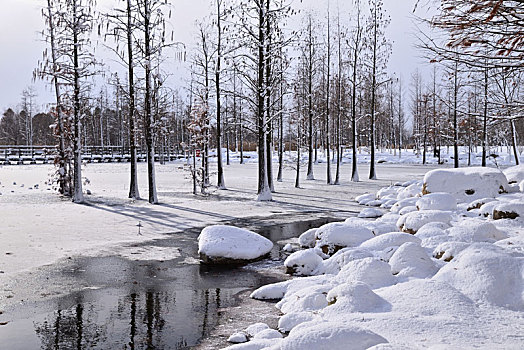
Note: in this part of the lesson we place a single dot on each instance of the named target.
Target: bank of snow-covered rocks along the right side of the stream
(442, 268)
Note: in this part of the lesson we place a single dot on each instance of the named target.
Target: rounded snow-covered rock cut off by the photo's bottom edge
(330, 335)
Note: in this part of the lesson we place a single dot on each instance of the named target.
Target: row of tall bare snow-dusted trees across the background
(323, 85)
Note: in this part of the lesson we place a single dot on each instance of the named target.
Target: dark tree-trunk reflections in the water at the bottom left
(136, 321)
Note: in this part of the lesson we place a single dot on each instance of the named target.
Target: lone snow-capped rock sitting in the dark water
(229, 244)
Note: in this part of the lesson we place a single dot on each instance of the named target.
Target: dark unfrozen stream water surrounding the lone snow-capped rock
(128, 304)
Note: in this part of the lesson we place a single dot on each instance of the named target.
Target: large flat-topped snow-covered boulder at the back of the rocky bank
(466, 184)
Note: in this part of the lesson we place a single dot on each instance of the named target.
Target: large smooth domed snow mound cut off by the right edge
(486, 273)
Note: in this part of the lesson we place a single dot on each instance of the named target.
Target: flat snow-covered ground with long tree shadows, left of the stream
(37, 227)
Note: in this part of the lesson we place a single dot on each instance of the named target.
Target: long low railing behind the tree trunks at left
(14, 154)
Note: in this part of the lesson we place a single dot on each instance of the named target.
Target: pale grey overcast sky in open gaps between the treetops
(22, 47)
